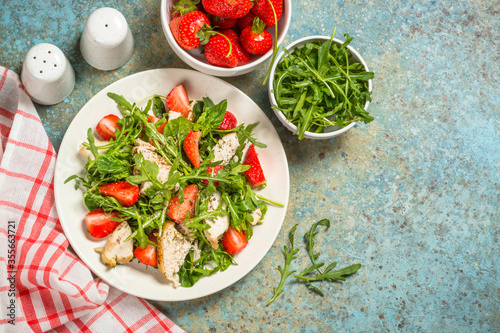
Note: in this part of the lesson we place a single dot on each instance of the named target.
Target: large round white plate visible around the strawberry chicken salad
(134, 278)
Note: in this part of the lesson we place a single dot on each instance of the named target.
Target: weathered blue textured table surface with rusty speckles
(413, 196)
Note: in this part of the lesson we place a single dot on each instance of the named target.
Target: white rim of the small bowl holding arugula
(281, 116)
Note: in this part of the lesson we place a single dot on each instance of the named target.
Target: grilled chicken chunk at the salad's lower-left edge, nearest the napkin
(116, 250)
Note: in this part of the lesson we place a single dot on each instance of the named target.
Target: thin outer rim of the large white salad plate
(58, 182)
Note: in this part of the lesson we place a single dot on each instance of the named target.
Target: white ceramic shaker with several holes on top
(47, 74)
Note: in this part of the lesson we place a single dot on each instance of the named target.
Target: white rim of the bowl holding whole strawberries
(251, 64)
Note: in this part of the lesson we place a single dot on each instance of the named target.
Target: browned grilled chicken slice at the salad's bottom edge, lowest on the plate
(171, 252)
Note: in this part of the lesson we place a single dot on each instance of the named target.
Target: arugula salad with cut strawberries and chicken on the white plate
(172, 184)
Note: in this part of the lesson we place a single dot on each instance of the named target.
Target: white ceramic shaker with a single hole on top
(107, 42)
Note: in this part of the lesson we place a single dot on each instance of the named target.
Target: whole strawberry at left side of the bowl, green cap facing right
(186, 29)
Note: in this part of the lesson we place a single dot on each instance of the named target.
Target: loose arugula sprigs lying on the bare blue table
(307, 275)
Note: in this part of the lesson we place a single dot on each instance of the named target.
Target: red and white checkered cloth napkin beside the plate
(43, 286)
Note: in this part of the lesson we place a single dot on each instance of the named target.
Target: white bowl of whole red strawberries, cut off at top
(222, 37)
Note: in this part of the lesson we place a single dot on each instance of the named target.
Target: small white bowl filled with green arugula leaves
(320, 87)
